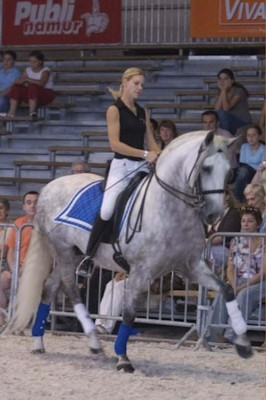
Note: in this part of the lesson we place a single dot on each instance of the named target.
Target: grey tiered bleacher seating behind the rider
(73, 126)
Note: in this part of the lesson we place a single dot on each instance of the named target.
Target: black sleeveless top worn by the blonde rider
(132, 128)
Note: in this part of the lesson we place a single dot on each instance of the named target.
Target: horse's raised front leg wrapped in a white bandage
(208, 279)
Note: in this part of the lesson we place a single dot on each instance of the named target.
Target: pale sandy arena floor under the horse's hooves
(68, 371)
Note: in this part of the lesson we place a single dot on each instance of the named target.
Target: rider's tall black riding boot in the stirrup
(86, 264)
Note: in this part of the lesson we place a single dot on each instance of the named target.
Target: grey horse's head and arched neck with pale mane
(194, 168)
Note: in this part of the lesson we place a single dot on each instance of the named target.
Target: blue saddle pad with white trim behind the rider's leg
(82, 209)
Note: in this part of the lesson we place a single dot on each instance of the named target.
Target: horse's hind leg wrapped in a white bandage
(71, 290)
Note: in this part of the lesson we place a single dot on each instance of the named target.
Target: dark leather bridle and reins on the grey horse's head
(193, 199)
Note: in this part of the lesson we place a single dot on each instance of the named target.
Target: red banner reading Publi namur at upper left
(61, 21)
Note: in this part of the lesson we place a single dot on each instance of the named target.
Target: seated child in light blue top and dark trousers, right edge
(251, 156)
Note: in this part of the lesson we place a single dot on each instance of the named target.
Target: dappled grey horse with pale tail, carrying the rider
(186, 189)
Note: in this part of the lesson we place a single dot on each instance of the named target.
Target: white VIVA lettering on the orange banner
(239, 12)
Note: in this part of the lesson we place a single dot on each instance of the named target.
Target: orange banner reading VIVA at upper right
(227, 18)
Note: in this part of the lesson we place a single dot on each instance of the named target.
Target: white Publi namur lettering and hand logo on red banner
(53, 18)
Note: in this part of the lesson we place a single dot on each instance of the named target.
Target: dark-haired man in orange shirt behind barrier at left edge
(29, 206)
